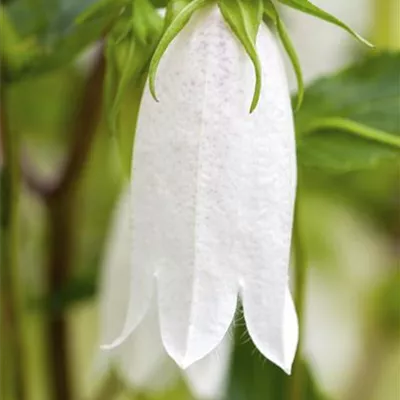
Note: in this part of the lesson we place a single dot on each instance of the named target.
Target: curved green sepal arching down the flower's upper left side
(176, 25)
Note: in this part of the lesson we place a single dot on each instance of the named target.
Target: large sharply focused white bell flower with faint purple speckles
(212, 196)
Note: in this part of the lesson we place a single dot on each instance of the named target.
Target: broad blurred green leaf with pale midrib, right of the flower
(349, 121)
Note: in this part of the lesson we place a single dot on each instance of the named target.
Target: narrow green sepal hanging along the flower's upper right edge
(272, 13)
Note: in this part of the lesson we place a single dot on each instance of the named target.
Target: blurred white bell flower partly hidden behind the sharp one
(141, 360)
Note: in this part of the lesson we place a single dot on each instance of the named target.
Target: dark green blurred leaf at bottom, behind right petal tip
(255, 378)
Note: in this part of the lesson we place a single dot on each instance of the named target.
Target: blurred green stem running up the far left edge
(11, 288)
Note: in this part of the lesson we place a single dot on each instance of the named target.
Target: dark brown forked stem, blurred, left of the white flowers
(59, 198)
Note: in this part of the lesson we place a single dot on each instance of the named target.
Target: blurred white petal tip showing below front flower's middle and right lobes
(208, 377)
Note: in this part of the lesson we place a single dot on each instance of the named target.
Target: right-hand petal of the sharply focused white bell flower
(269, 209)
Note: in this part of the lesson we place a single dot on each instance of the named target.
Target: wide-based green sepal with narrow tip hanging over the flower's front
(244, 18)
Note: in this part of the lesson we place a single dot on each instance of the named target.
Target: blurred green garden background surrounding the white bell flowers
(55, 124)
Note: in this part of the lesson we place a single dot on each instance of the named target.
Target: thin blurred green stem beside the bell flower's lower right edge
(297, 380)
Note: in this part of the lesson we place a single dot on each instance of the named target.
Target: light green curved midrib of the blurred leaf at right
(354, 128)
